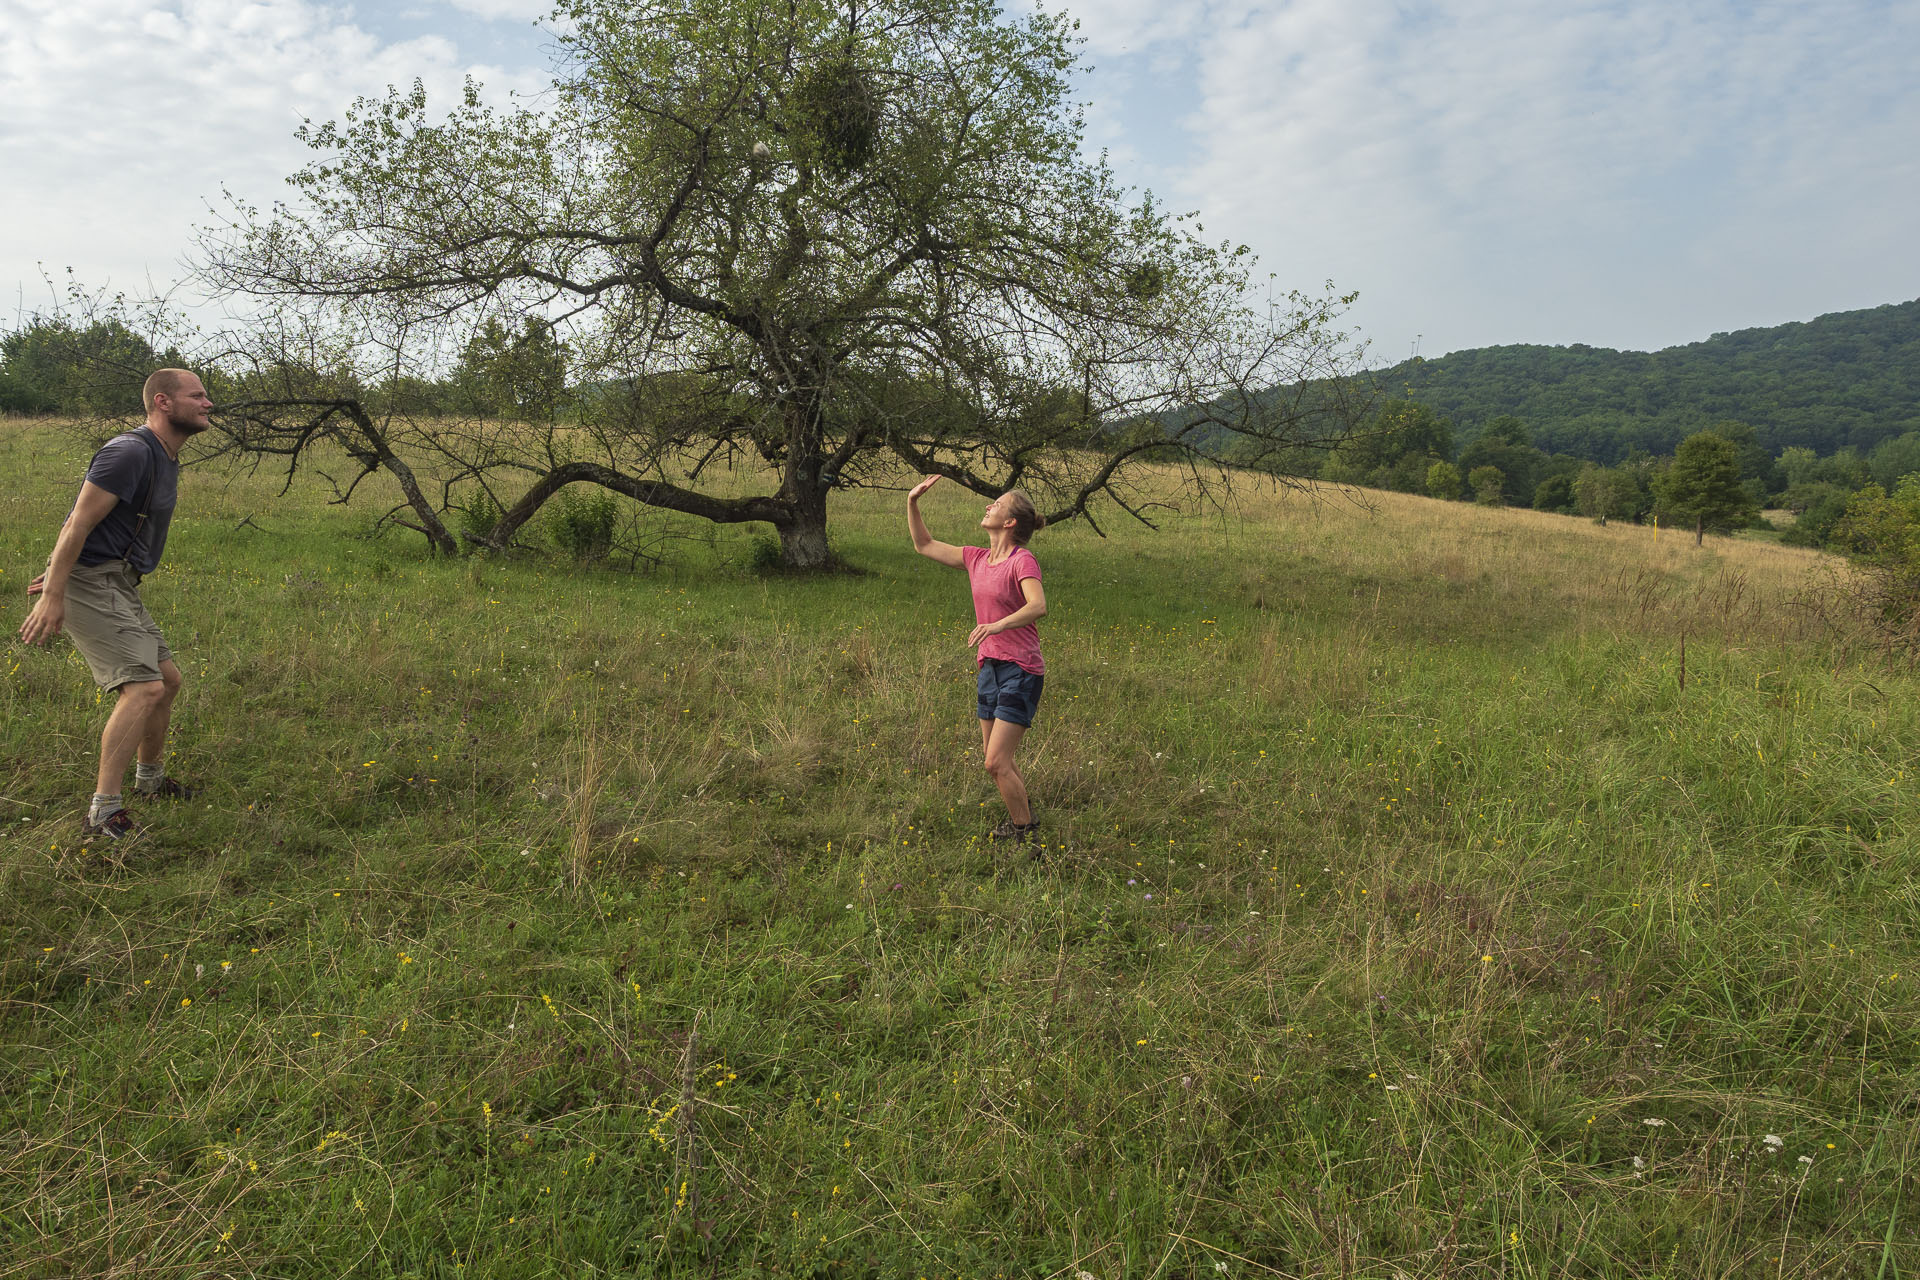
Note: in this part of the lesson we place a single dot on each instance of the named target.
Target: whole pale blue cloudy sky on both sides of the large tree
(1621, 174)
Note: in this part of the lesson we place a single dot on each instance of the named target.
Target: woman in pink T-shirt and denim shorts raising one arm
(1007, 605)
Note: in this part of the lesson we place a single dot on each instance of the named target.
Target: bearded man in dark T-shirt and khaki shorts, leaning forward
(91, 590)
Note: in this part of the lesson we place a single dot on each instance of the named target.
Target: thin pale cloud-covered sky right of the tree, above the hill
(1612, 172)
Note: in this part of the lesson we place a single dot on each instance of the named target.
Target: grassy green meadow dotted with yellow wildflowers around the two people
(1408, 909)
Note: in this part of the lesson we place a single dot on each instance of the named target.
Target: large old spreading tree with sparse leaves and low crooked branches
(815, 239)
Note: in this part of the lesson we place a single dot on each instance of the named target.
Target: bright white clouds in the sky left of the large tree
(124, 120)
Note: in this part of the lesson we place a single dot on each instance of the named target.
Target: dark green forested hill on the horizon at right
(1846, 379)
